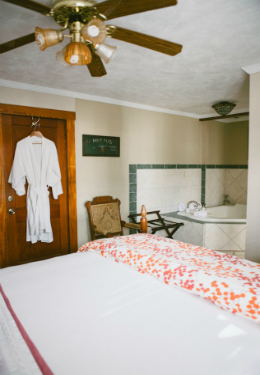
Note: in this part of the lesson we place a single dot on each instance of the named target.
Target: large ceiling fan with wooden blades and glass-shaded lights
(87, 32)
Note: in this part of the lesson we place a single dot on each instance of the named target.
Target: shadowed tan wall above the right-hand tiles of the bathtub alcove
(236, 142)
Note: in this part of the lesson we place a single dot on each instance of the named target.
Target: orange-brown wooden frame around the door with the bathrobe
(69, 118)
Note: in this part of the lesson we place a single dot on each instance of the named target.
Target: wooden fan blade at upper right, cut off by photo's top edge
(119, 8)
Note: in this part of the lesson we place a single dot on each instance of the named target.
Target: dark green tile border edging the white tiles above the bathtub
(133, 178)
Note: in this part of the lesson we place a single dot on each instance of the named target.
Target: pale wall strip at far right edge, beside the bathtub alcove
(253, 205)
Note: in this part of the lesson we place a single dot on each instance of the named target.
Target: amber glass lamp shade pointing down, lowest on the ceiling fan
(77, 53)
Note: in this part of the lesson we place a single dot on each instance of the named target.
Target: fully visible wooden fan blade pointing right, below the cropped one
(142, 40)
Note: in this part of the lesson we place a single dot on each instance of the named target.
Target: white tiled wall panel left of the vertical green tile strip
(164, 189)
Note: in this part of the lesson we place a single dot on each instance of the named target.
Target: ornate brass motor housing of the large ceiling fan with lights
(62, 10)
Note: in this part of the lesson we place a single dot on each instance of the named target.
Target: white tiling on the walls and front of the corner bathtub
(164, 189)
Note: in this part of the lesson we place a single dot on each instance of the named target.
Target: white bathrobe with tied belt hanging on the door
(40, 166)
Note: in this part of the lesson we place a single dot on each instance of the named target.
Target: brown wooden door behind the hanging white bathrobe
(15, 128)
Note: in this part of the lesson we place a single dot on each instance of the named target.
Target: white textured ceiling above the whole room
(219, 37)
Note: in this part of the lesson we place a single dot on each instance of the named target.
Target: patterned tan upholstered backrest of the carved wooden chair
(104, 215)
